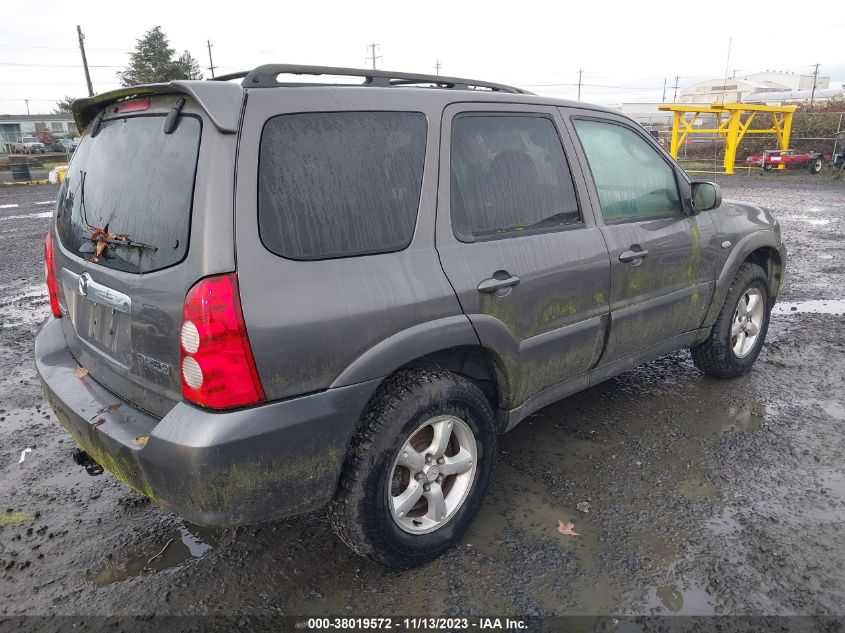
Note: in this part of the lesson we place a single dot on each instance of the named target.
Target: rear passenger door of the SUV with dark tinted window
(519, 244)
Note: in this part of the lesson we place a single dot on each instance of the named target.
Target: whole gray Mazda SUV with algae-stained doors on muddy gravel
(272, 296)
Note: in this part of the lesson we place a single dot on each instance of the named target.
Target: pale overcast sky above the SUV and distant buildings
(626, 50)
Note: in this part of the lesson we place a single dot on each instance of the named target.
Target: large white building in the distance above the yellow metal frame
(738, 89)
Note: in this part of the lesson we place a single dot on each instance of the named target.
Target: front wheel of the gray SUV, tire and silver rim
(728, 352)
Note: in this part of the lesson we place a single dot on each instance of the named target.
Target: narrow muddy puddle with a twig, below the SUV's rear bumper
(189, 543)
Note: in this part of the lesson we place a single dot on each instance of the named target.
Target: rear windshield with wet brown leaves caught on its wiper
(136, 182)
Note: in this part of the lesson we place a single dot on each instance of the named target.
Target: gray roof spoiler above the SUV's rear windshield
(221, 101)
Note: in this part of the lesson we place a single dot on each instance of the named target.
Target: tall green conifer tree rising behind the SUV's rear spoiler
(153, 62)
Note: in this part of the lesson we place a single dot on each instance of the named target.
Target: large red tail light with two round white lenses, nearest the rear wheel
(217, 366)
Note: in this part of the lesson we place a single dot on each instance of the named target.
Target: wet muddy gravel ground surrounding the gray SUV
(702, 496)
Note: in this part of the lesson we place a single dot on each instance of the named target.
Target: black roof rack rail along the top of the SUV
(267, 76)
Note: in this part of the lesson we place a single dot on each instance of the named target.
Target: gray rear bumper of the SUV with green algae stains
(217, 469)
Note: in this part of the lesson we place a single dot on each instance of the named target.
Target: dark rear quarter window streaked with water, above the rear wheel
(340, 184)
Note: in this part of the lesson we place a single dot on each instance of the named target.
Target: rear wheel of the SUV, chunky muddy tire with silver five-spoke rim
(365, 509)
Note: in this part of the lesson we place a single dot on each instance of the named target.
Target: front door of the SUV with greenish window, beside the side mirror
(662, 256)
